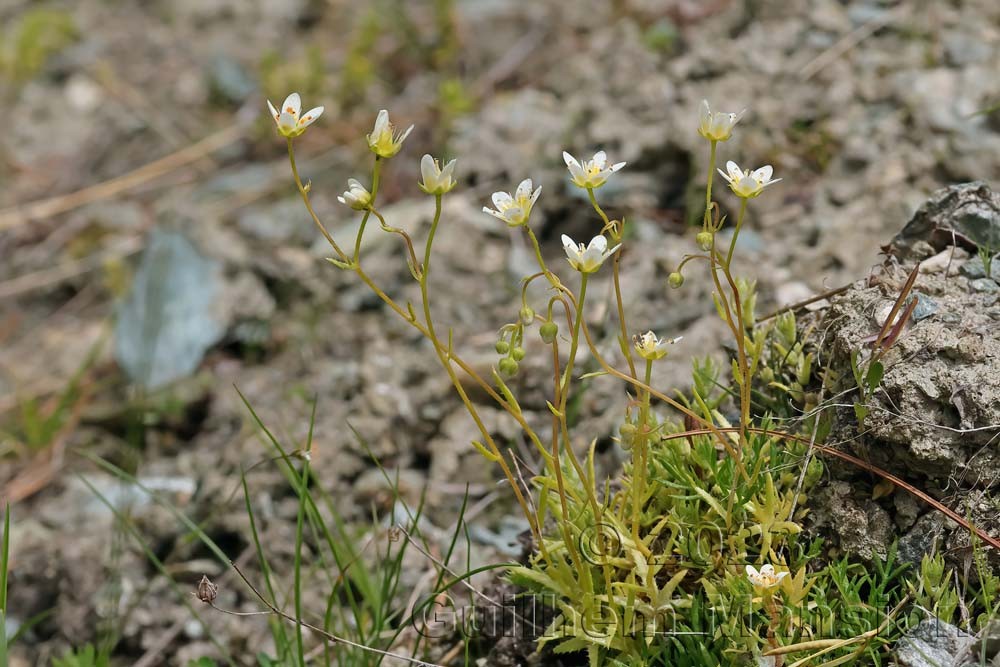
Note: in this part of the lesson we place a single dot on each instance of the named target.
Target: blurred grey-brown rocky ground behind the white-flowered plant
(155, 253)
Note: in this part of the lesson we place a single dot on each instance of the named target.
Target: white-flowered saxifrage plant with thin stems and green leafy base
(663, 568)
